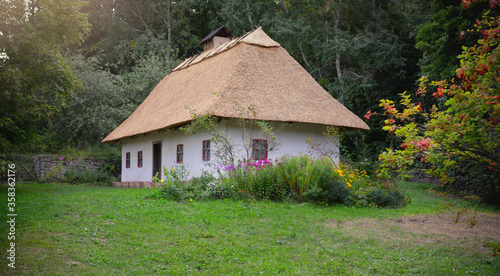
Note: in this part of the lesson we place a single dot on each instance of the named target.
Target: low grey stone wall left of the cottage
(42, 164)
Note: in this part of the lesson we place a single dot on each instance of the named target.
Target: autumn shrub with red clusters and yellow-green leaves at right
(459, 126)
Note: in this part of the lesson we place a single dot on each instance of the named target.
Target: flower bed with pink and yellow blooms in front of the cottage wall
(300, 178)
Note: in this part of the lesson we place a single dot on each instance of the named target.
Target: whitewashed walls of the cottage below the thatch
(291, 139)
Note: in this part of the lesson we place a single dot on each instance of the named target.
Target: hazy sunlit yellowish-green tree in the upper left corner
(34, 76)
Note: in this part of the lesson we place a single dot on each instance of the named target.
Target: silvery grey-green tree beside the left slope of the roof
(104, 100)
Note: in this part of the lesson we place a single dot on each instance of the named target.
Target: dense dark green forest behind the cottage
(71, 71)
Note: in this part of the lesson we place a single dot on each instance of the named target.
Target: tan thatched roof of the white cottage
(253, 70)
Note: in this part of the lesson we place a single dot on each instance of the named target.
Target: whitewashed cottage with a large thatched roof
(252, 70)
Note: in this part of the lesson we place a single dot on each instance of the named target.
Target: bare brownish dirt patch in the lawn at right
(421, 230)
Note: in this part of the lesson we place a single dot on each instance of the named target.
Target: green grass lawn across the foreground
(77, 230)
